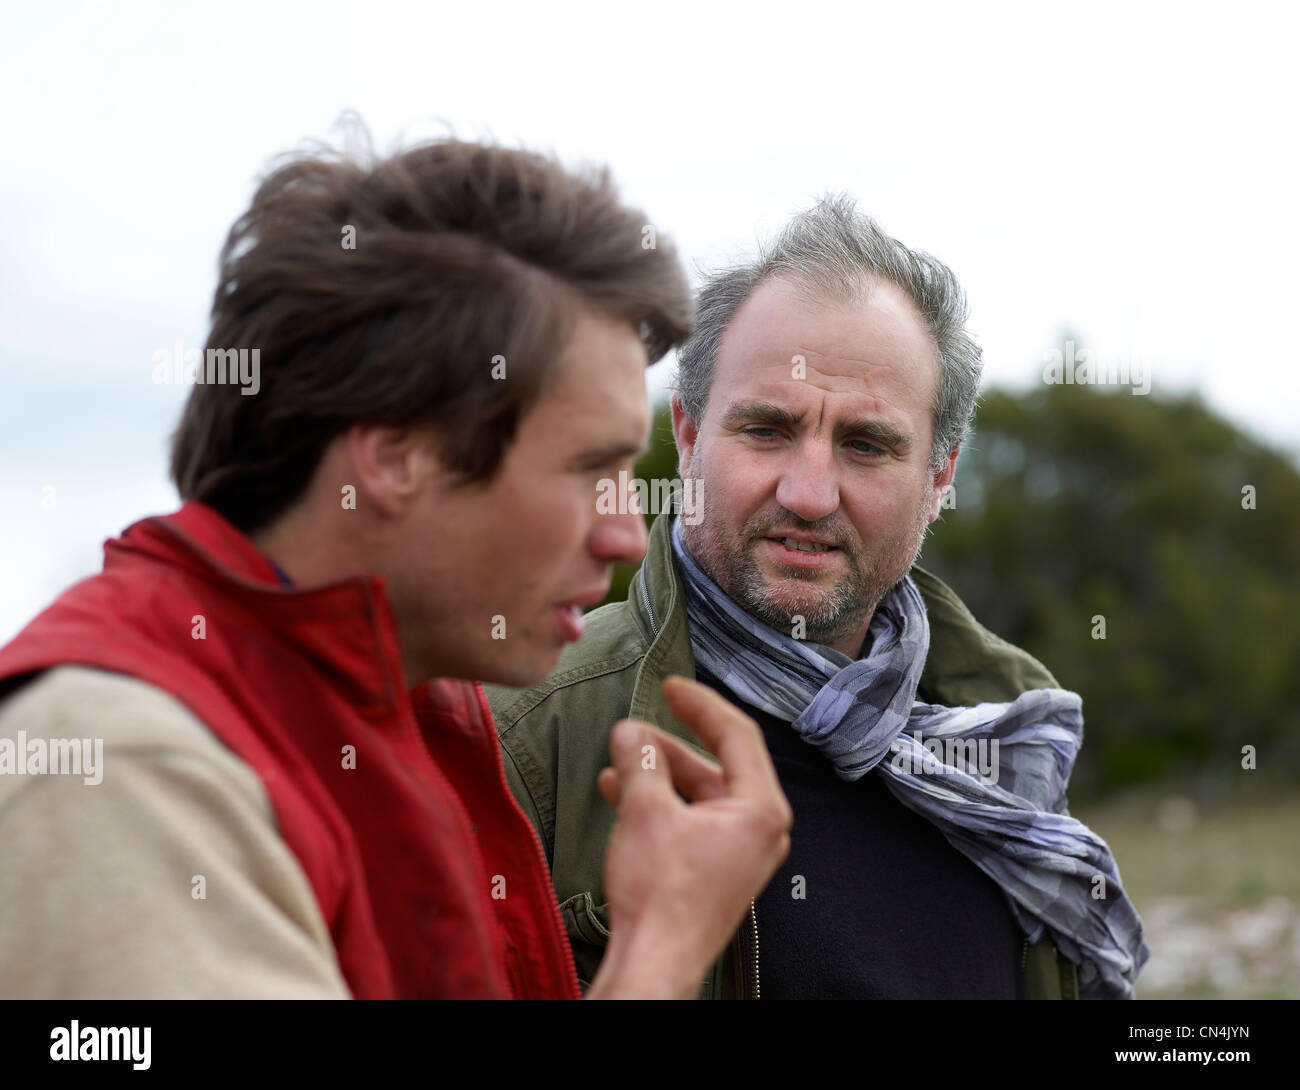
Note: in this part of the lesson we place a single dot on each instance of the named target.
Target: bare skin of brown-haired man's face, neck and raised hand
(528, 547)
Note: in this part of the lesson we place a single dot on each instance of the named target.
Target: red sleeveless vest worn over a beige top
(428, 876)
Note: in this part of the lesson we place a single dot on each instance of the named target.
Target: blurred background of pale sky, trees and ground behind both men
(1117, 179)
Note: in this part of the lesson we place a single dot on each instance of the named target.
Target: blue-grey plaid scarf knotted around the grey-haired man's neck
(1008, 815)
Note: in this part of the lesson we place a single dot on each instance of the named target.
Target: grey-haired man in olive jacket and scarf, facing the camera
(822, 404)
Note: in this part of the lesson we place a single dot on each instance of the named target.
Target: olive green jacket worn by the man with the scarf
(557, 738)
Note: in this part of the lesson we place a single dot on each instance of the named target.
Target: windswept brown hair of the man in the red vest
(463, 254)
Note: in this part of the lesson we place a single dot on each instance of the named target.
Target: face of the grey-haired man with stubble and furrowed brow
(817, 430)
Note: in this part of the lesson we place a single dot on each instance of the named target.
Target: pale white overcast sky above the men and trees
(1126, 171)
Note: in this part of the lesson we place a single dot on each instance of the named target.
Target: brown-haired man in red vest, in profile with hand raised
(437, 357)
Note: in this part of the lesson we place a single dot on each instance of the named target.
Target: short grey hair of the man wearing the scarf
(833, 250)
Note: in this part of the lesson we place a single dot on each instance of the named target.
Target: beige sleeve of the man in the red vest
(99, 883)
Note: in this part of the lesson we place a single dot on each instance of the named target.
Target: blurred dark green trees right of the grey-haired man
(1077, 507)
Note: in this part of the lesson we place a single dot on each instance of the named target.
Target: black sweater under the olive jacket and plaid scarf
(890, 910)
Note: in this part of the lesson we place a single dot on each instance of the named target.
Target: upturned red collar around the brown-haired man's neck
(346, 629)
